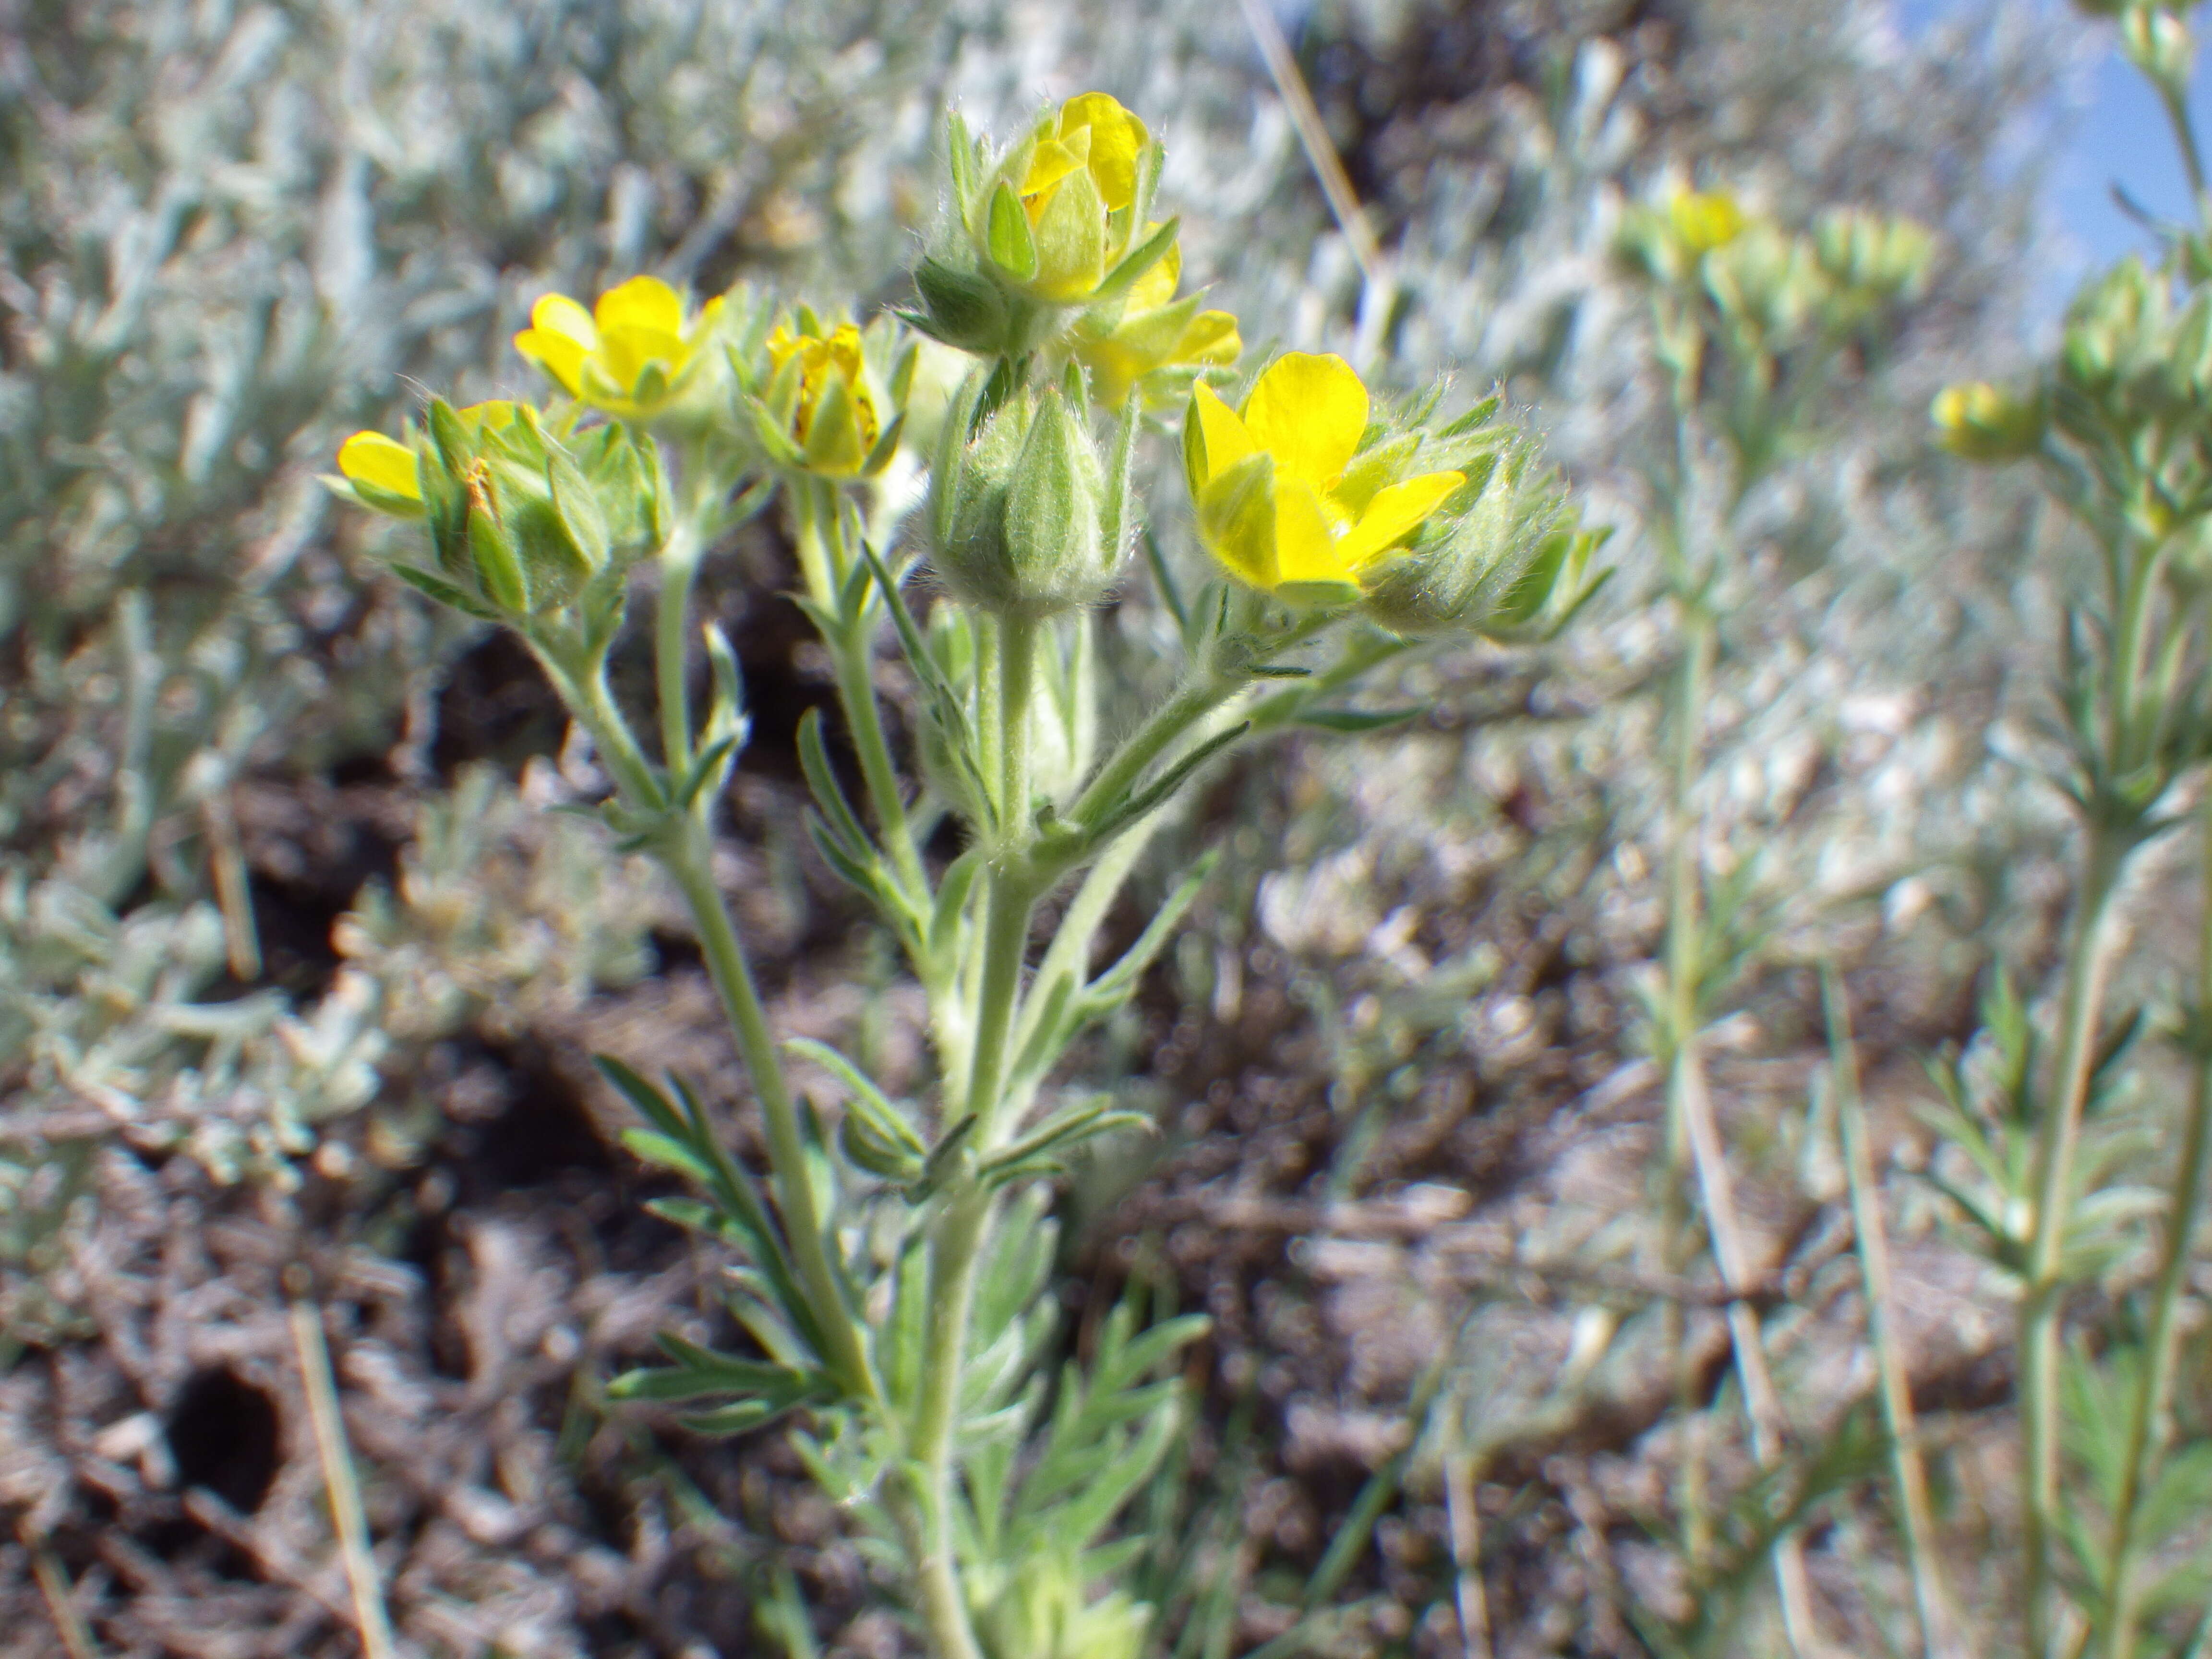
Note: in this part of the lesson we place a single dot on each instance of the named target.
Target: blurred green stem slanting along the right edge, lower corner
(2156, 1381)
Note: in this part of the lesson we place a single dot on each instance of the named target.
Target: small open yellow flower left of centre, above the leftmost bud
(627, 355)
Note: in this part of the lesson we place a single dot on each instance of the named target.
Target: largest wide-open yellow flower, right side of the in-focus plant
(1284, 497)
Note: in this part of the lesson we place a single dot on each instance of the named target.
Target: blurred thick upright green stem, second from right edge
(2089, 961)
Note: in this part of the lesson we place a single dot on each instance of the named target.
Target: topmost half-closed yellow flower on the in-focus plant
(1063, 211)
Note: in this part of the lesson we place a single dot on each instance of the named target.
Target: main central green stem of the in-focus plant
(968, 1213)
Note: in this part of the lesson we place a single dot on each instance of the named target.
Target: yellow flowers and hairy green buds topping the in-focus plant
(1056, 275)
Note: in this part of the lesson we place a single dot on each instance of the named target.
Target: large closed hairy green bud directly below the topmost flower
(1021, 505)
